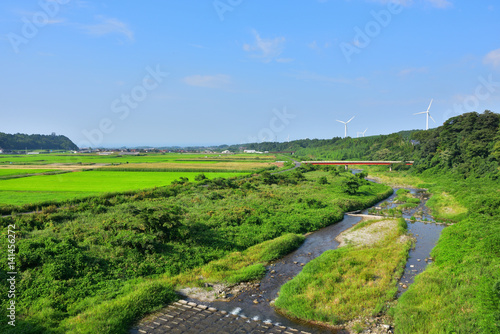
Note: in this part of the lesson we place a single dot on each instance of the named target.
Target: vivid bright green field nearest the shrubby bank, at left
(82, 184)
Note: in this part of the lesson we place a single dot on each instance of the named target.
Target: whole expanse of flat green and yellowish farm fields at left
(112, 173)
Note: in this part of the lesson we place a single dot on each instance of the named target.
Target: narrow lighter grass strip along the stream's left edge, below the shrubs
(118, 314)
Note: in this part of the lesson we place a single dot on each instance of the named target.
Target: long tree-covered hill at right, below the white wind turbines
(468, 144)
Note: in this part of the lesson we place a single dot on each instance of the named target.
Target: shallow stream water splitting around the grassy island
(254, 301)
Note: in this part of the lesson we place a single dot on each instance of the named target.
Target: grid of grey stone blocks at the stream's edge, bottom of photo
(191, 318)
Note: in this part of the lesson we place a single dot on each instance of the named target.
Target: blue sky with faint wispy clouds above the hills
(205, 72)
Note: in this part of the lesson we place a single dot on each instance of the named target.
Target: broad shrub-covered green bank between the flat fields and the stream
(102, 252)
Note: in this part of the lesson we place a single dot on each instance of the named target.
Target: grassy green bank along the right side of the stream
(459, 293)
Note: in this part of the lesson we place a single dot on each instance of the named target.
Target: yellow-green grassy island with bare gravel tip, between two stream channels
(350, 282)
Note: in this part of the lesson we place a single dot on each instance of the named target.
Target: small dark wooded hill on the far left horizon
(20, 141)
